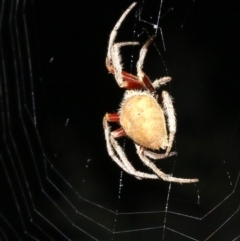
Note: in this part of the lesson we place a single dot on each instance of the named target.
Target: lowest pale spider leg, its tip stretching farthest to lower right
(161, 174)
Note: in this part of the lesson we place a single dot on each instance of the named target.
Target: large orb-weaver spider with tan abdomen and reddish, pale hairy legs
(141, 114)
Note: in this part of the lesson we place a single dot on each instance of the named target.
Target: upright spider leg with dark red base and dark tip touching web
(141, 75)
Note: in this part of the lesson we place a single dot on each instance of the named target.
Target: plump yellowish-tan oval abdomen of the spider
(142, 119)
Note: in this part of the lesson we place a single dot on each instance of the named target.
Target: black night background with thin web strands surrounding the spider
(57, 181)
